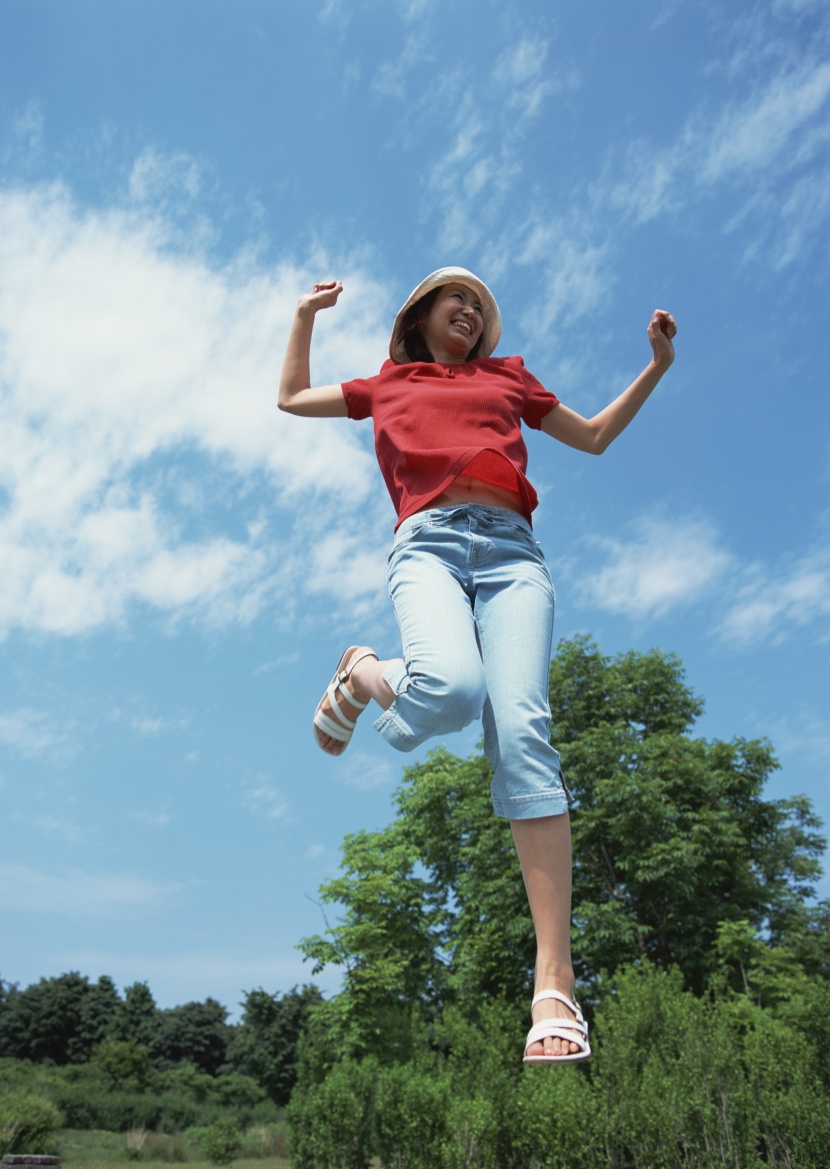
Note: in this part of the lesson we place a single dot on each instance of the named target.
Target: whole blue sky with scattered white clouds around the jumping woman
(183, 565)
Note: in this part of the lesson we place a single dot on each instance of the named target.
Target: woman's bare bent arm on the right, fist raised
(596, 435)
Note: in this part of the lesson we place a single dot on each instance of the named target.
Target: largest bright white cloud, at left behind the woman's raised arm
(127, 354)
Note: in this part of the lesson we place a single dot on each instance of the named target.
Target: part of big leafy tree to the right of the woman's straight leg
(672, 834)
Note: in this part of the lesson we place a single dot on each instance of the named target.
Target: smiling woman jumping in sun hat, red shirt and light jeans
(469, 584)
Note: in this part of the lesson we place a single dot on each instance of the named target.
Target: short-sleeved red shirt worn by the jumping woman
(433, 420)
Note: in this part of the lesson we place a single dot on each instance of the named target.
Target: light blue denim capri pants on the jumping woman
(474, 601)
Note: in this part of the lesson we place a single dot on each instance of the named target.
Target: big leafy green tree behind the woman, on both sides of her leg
(673, 836)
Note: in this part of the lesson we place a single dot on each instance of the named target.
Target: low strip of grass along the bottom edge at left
(109, 1151)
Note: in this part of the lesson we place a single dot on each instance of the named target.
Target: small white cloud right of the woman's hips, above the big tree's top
(665, 564)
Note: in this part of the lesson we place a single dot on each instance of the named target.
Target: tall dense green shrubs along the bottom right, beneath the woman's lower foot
(676, 1081)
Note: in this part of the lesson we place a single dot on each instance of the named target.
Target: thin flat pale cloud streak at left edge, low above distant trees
(30, 890)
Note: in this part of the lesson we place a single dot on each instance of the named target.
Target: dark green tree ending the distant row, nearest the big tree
(266, 1045)
